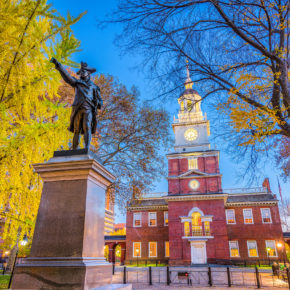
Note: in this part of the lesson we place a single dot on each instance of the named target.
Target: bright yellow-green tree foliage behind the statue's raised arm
(33, 123)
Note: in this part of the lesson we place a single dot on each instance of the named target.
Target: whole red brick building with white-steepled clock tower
(198, 222)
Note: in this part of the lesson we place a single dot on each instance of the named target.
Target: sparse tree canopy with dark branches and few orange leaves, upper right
(238, 53)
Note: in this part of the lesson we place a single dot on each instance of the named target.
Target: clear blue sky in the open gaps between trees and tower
(99, 51)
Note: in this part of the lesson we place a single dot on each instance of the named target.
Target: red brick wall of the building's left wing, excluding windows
(146, 234)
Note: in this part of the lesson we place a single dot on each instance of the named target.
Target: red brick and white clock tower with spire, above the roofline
(193, 168)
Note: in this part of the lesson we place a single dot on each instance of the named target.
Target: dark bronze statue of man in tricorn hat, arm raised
(87, 100)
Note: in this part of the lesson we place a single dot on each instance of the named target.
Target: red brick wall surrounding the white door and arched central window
(217, 248)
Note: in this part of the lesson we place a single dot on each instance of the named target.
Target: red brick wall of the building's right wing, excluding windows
(258, 231)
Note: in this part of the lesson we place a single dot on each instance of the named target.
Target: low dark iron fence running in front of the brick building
(202, 276)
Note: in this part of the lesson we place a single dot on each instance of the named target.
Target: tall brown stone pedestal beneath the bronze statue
(68, 245)
